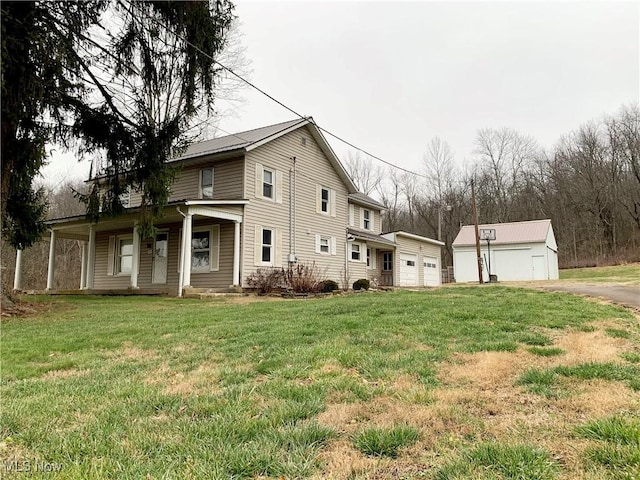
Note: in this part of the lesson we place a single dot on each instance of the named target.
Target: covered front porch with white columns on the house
(197, 245)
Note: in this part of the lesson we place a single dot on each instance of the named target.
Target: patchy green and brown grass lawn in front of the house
(456, 383)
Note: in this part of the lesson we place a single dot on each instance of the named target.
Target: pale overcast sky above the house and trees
(390, 76)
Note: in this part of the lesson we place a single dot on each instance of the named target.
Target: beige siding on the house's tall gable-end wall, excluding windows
(312, 169)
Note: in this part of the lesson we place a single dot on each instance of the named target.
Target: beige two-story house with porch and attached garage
(260, 198)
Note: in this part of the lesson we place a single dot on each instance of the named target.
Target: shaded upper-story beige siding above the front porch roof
(227, 182)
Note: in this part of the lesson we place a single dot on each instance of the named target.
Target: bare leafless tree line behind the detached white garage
(588, 184)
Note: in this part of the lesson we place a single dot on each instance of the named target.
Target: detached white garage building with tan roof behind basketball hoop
(521, 251)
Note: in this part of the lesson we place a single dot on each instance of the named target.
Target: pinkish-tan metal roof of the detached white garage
(533, 231)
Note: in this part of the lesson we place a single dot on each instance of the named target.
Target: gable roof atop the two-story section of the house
(251, 139)
